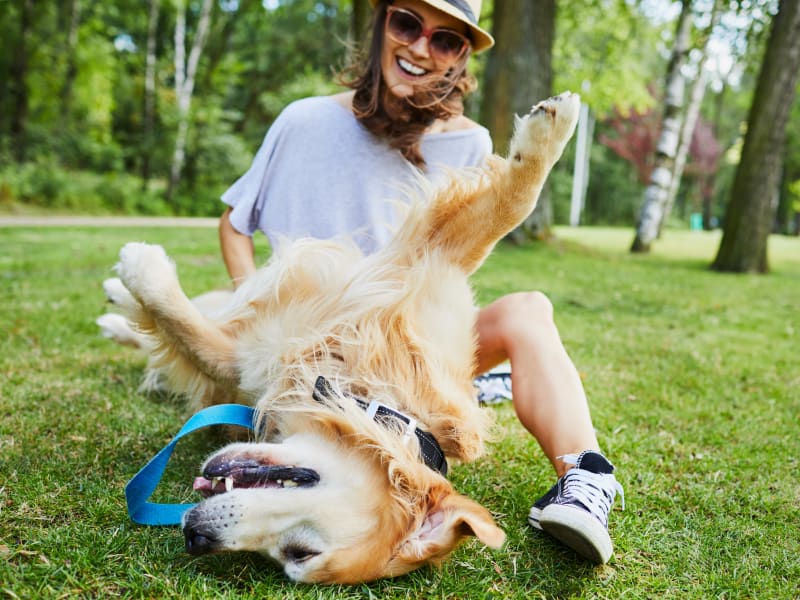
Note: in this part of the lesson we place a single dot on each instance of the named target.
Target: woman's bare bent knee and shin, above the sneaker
(547, 391)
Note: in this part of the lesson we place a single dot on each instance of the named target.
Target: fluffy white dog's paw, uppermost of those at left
(146, 271)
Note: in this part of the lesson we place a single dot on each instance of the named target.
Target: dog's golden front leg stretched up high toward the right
(466, 219)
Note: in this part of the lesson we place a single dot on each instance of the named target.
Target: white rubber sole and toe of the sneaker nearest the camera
(578, 530)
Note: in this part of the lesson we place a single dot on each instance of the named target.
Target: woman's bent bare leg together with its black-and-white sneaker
(550, 402)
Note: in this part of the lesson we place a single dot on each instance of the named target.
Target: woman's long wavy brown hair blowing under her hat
(403, 121)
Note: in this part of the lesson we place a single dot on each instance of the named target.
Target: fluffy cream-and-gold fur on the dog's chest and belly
(365, 324)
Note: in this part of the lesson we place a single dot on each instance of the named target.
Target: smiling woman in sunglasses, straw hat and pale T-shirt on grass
(326, 160)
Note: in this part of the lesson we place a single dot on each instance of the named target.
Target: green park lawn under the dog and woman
(692, 377)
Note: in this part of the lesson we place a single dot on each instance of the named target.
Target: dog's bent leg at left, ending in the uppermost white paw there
(165, 312)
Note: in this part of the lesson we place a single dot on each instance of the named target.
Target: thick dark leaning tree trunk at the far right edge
(748, 221)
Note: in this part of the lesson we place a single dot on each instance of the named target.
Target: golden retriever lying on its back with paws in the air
(360, 368)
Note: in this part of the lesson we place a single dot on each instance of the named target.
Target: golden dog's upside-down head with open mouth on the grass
(331, 512)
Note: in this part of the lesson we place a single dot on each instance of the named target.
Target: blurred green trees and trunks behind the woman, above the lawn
(155, 107)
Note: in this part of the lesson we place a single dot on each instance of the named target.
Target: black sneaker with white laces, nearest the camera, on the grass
(575, 510)
